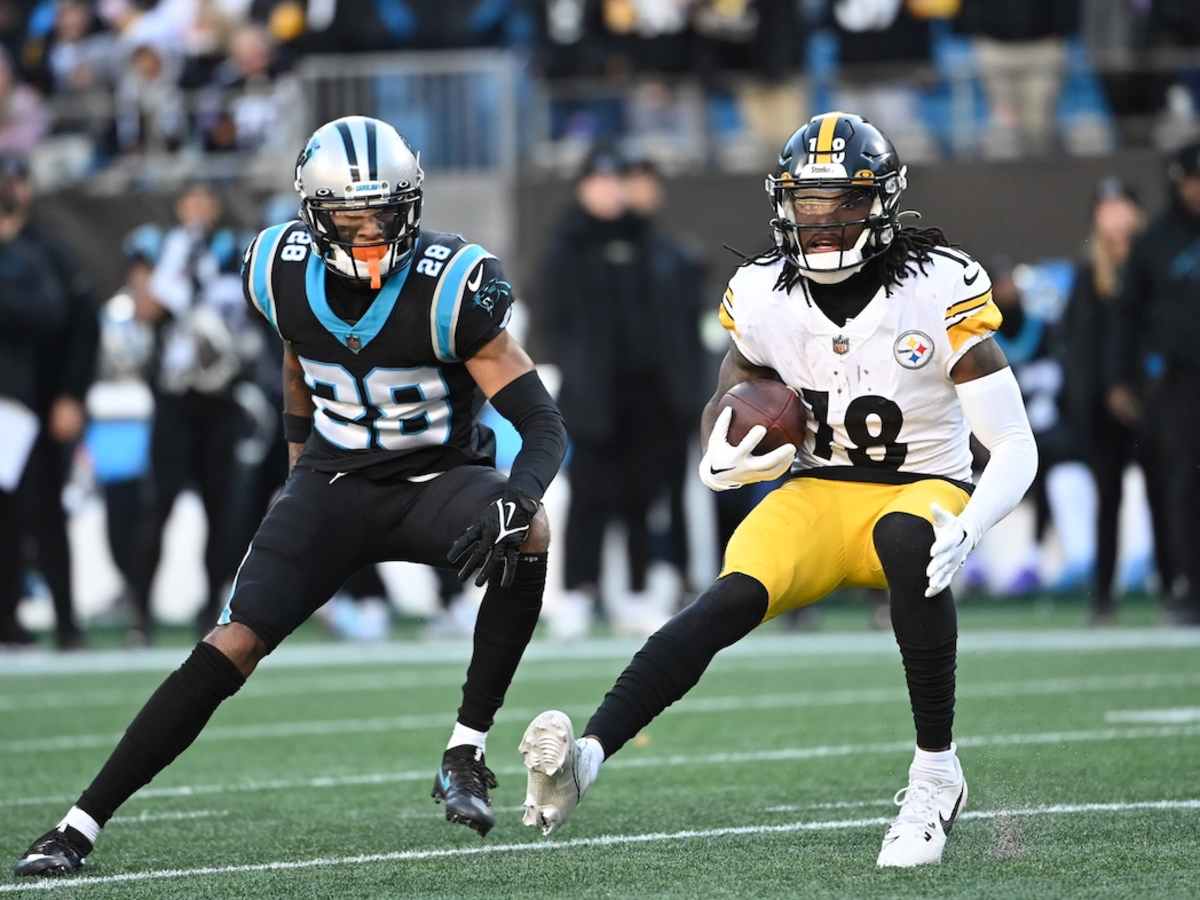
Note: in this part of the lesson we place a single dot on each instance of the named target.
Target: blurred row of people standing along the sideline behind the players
(170, 385)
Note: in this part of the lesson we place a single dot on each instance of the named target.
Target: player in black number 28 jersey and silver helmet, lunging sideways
(393, 335)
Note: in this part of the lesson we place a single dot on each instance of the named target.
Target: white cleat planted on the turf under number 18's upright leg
(928, 809)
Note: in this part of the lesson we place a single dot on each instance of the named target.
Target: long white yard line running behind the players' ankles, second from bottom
(656, 761)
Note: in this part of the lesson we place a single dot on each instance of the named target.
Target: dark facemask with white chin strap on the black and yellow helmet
(831, 227)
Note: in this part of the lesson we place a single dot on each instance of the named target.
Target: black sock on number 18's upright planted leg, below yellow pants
(926, 628)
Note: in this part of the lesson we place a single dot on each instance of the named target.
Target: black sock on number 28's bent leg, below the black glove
(506, 623)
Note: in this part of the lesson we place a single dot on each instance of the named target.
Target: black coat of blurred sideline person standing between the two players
(622, 298)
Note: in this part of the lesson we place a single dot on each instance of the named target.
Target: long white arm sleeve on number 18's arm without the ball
(995, 412)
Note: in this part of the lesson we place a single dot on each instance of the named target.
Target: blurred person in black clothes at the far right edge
(1156, 369)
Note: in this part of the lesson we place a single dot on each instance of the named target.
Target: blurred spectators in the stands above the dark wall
(92, 82)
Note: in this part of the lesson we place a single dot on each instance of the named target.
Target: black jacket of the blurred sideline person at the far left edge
(33, 308)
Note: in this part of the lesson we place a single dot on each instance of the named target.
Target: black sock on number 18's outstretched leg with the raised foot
(676, 657)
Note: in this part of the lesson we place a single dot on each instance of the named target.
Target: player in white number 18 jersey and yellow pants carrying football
(885, 332)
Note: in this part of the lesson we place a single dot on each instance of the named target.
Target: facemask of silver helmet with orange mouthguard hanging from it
(365, 239)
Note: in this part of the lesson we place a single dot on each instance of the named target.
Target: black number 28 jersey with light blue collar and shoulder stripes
(386, 368)
